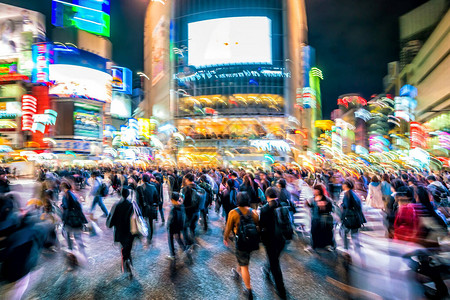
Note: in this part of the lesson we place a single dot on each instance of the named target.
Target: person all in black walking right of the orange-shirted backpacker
(274, 233)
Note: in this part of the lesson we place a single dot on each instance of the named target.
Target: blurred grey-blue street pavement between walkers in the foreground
(306, 276)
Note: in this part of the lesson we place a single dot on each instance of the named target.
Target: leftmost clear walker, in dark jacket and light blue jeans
(73, 218)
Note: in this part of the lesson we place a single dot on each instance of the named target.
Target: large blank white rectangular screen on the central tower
(239, 40)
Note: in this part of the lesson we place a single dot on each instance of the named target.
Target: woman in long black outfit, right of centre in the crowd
(322, 220)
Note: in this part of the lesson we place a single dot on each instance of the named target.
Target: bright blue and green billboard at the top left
(88, 15)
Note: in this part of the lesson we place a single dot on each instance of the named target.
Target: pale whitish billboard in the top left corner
(19, 29)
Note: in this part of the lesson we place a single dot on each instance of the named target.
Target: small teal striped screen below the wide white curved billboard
(87, 120)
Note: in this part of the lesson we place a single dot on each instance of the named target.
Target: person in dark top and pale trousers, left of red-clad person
(352, 216)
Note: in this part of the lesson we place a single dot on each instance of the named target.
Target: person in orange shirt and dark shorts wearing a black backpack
(244, 223)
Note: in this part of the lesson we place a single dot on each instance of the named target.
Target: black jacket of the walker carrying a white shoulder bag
(119, 218)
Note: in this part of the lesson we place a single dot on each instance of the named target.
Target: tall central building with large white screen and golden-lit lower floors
(228, 74)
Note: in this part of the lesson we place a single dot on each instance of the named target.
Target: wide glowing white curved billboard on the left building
(80, 82)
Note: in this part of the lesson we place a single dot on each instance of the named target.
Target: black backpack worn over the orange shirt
(247, 235)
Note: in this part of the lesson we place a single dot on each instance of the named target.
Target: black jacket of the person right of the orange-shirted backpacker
(270, 236)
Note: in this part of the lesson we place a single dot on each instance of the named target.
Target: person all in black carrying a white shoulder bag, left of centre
(120, 219)
